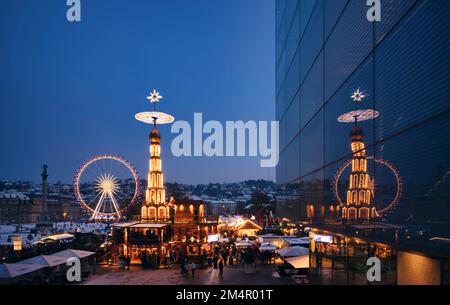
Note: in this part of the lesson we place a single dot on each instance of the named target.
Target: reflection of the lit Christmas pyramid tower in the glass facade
(359, 204)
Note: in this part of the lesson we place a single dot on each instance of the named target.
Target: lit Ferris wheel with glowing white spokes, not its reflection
(105, 186)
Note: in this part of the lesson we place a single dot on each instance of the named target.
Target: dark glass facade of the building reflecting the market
(325, 50)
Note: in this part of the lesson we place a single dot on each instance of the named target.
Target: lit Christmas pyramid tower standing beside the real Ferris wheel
(155, 207)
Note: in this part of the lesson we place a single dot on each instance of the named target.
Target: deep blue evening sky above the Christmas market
(70, 90)
